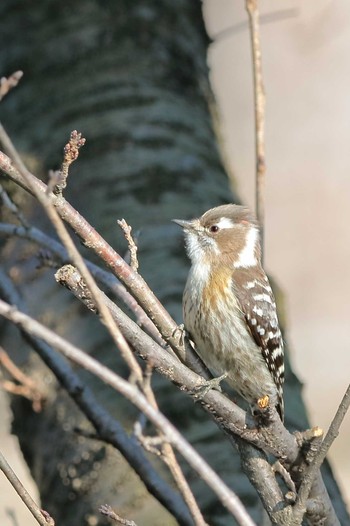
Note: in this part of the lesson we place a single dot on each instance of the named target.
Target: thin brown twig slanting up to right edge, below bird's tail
(309, 475)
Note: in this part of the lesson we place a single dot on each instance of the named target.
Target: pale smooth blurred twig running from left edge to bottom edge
(227, 497)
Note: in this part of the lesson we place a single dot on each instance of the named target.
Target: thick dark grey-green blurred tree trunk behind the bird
(132, 77)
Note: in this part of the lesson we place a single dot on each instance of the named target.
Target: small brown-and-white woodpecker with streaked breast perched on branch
(229, 310)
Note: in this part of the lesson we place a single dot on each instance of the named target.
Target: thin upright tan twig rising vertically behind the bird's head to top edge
(259, 113)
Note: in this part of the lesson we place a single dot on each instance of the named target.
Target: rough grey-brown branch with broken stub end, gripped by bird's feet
(275, 440)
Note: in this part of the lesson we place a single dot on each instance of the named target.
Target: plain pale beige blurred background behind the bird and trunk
(305, 47)
